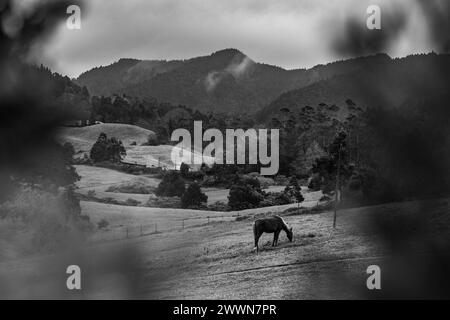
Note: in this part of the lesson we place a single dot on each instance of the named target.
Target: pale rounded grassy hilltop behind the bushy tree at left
(83, 138)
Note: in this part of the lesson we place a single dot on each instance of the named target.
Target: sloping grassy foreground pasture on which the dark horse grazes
(216, 261)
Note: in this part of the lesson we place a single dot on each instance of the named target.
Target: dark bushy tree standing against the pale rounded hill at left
(106, 149)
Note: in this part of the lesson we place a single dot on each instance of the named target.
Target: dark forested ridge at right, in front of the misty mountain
(391, 83)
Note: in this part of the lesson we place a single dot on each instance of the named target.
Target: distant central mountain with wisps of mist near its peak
(226, 81)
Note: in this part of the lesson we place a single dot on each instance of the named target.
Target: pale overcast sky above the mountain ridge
(287, 33)
